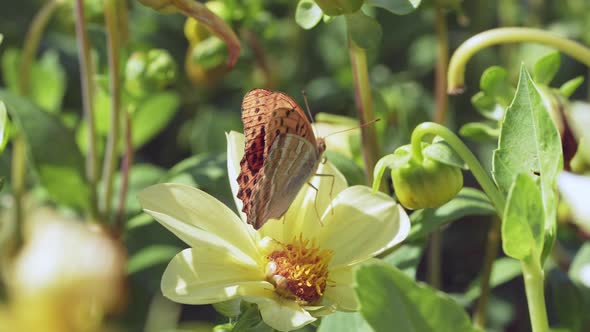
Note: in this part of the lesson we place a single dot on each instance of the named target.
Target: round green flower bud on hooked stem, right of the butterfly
(423, 184)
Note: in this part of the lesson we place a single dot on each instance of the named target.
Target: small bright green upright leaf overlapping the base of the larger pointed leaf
(522, 224)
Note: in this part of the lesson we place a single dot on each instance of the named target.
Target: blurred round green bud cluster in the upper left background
(149, 71)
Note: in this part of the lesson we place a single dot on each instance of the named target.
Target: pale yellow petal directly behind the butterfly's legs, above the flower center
(303, 217)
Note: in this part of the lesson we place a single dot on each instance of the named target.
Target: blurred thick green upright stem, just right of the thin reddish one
(111, 154)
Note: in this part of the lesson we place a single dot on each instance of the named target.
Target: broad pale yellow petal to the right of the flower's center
(361, 224)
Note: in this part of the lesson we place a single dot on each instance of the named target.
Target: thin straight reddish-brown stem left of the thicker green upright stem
(87, 87)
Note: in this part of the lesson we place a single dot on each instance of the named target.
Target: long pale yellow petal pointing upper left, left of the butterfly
(199, 219)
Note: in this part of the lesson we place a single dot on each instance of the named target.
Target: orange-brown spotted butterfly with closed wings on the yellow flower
(281, 154)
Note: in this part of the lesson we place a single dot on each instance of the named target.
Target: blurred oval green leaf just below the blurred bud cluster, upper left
(152, 116)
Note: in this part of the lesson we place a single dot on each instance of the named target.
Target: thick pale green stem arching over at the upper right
(488, 38)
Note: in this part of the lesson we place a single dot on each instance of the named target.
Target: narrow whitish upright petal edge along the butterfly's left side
(235, 152)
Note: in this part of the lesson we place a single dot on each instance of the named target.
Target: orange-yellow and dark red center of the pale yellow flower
(299, 270)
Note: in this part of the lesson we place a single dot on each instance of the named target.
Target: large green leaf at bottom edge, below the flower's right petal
(410, 306)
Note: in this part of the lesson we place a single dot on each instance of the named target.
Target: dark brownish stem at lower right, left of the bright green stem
(493, 243)
